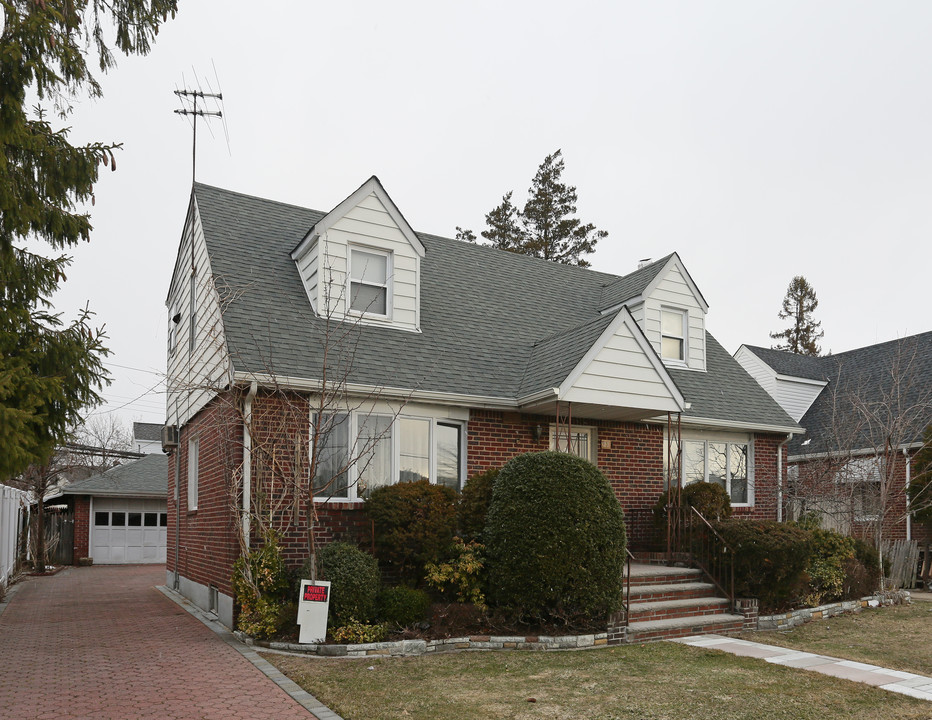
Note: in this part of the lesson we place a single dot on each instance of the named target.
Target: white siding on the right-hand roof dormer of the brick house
(674, 292)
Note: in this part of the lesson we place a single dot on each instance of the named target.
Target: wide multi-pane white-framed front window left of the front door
(386, 450)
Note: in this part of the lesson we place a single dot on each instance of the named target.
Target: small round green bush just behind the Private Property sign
(354, 582)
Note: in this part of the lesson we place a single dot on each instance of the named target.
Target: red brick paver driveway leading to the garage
(102, 642)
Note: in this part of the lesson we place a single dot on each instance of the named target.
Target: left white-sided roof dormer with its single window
(361, 262)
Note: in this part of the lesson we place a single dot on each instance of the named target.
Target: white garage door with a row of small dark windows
(128, 531)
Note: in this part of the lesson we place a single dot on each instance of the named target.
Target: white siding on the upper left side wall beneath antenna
(194, 374)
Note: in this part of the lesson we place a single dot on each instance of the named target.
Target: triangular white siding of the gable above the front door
(621, 375)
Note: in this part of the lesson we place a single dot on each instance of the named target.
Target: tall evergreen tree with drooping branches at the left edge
(49, 369)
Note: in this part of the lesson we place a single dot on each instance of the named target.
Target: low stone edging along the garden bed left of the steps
(407, 648)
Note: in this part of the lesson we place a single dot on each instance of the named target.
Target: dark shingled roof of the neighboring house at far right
(887, 380)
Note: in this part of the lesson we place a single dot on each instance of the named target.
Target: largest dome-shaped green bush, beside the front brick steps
(555, 540)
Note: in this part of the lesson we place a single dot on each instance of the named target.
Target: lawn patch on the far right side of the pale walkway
(898, 637)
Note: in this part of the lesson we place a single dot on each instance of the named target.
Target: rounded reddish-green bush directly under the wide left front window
(414, 525)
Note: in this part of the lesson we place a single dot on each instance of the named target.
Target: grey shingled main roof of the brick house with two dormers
(493, 324)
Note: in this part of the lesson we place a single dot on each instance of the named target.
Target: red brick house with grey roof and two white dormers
(448, 358)
